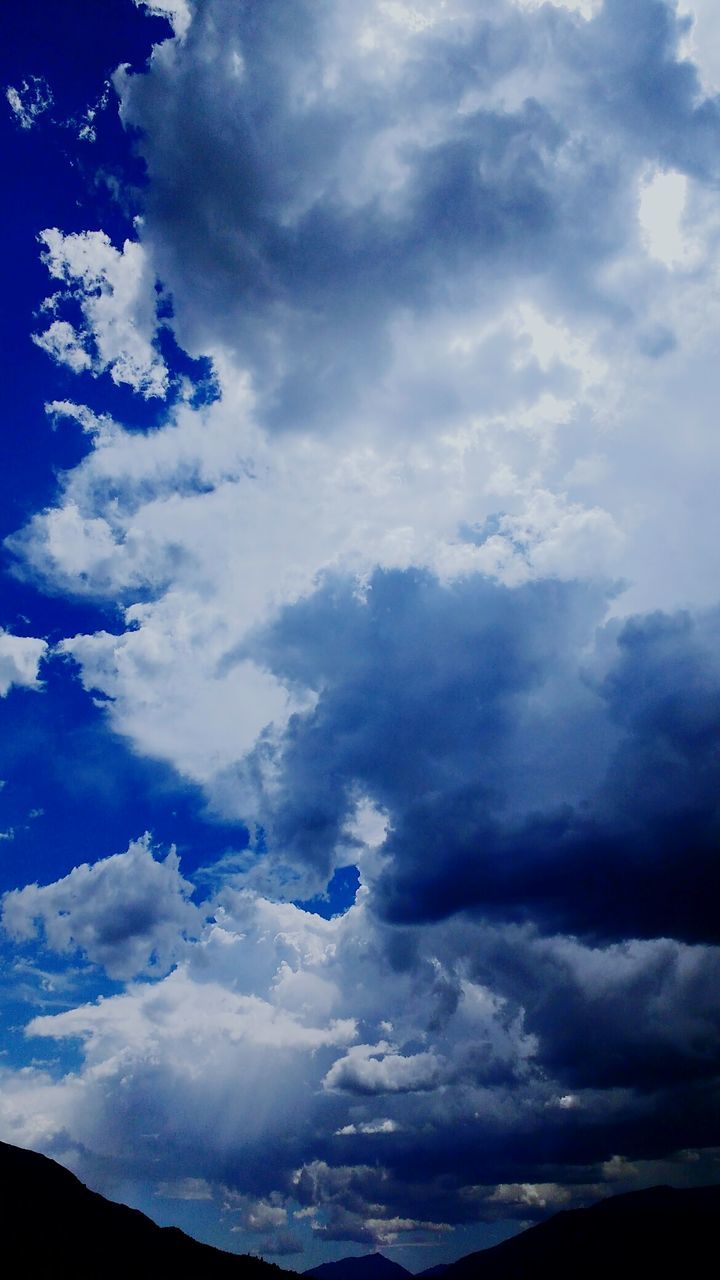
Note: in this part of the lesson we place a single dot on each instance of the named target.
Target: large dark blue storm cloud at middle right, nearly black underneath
(518, 785)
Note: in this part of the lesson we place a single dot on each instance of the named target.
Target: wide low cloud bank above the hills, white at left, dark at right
(257, 1066)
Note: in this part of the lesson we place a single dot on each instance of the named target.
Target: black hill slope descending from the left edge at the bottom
(53, 1226)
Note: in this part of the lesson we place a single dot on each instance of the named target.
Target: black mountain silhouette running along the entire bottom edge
(54, 1226)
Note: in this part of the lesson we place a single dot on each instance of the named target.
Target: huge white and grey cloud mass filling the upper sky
(435, 390)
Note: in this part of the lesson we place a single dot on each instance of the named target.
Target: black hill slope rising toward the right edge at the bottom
(657, 1235)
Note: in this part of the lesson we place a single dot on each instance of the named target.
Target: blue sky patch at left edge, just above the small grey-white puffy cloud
(75, 792)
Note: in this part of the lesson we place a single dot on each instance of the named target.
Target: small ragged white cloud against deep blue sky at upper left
(119, 304)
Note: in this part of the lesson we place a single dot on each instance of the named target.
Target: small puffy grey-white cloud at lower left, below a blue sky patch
(127, 913)
